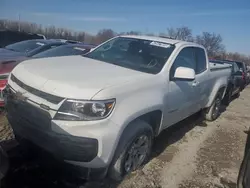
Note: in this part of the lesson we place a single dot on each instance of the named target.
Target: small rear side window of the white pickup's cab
(201, 64)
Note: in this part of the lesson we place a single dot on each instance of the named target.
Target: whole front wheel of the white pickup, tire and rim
(133, 150)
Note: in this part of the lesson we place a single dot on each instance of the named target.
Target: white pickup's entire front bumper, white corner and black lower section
(84, 144)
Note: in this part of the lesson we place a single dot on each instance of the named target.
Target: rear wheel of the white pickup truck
(213, 112)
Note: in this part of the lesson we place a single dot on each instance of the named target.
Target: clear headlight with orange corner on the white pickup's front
(78, 110)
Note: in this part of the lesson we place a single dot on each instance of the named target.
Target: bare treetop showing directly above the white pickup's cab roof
(181, 33)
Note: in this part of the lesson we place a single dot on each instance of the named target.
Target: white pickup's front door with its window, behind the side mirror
(182, 99)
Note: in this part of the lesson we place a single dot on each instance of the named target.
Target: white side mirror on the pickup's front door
(184, 73)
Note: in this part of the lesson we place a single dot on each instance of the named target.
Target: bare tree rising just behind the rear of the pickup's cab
(212, 42)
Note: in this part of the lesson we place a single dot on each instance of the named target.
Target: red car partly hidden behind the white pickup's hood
(64, 49)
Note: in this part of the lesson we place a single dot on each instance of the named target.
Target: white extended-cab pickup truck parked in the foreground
(101, 112)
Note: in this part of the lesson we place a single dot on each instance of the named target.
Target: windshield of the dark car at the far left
(24, 46)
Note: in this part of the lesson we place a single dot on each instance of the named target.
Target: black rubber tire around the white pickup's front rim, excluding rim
(136, 130)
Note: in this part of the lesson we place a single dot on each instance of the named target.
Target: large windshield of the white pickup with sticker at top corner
(137, 54)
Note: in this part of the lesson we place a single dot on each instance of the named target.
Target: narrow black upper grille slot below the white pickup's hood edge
(51, 98)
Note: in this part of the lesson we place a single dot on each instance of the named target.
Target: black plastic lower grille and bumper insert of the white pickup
(66, 147)
